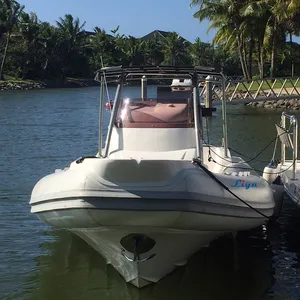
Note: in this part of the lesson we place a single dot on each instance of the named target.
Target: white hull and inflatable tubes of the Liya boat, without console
(182, 212)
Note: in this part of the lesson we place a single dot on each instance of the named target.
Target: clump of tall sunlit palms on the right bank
(257, 28)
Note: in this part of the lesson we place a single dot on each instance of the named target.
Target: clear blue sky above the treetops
(135, 17)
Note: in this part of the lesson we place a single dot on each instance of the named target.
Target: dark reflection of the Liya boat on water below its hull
(70, 269)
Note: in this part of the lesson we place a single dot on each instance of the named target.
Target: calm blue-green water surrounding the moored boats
(41, 131)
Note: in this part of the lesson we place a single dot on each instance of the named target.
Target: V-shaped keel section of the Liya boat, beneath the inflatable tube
(172, 248)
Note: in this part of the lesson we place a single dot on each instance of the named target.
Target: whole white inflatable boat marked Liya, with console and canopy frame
(156, 193)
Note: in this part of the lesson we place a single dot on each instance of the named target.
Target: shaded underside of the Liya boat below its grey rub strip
(175, 235)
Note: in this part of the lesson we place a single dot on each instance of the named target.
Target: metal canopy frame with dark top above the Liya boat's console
(124, 75)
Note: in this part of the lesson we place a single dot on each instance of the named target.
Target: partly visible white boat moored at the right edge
(287, 169)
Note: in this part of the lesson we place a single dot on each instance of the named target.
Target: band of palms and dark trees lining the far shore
(253, 39)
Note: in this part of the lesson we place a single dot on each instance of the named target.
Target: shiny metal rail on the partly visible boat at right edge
(294, 122)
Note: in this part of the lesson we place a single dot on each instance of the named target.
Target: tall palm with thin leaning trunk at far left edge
(10, 11)
